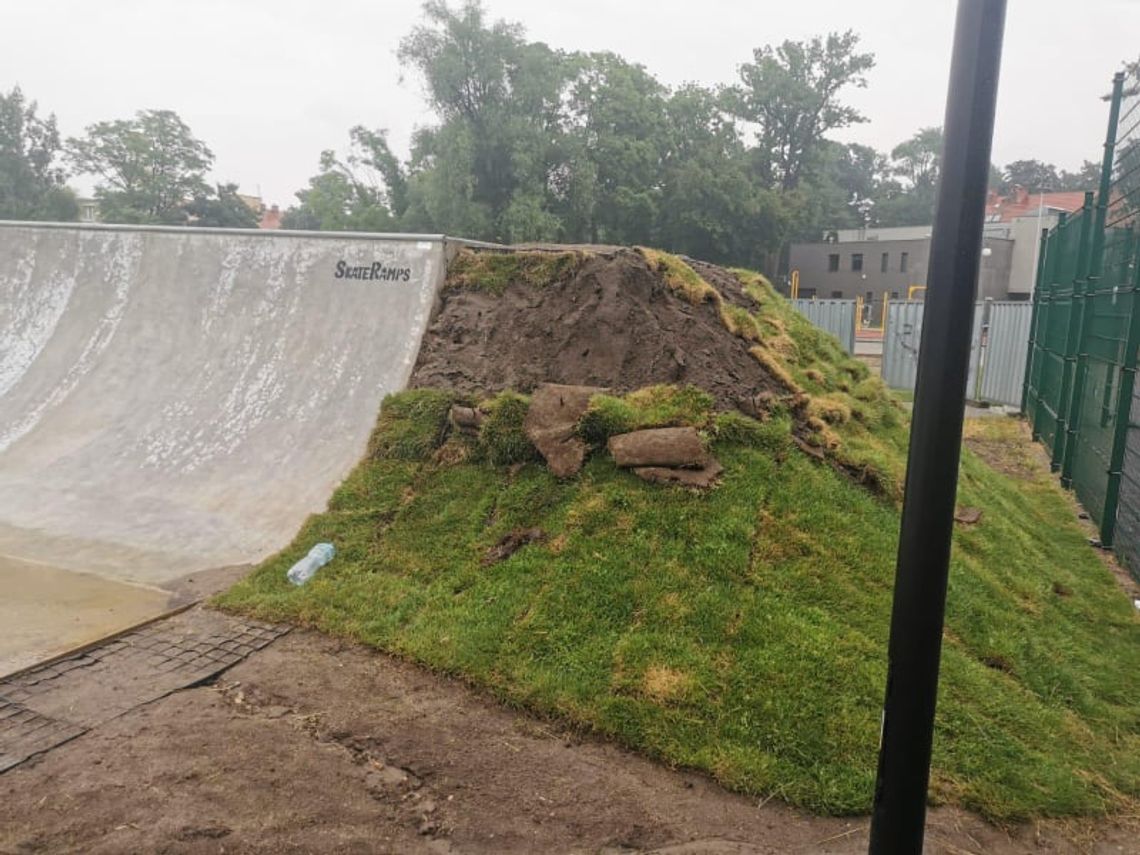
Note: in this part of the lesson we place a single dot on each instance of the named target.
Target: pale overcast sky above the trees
(270, 84)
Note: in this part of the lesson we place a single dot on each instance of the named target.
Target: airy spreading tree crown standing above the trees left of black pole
(792, 93)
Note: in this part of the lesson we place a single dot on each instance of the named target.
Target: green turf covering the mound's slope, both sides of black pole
(742, 631)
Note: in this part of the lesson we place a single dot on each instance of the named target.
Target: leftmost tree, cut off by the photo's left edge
(31, 181)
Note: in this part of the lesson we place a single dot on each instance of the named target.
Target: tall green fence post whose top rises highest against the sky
(1094, 268)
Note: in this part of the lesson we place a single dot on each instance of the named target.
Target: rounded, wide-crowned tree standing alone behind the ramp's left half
(150, 166)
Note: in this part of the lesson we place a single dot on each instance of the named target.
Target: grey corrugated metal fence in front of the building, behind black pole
(998, 349)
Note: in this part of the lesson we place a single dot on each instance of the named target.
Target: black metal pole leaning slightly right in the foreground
(937, 434)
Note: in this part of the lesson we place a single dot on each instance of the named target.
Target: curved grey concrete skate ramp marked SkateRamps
(180, 400)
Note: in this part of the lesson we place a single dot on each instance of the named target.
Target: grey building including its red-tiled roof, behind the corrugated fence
(874, 262)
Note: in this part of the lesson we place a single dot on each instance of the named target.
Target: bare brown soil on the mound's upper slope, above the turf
(593, 319)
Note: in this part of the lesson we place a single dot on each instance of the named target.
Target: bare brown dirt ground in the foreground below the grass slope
(315, 746)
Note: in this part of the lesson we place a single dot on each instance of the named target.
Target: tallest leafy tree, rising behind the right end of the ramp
(487, 166)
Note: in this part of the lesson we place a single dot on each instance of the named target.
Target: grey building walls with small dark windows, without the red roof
(849, 270)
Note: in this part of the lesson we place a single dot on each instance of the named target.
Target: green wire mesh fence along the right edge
(1086, 330)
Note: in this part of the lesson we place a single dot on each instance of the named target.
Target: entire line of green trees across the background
(533, 144)
